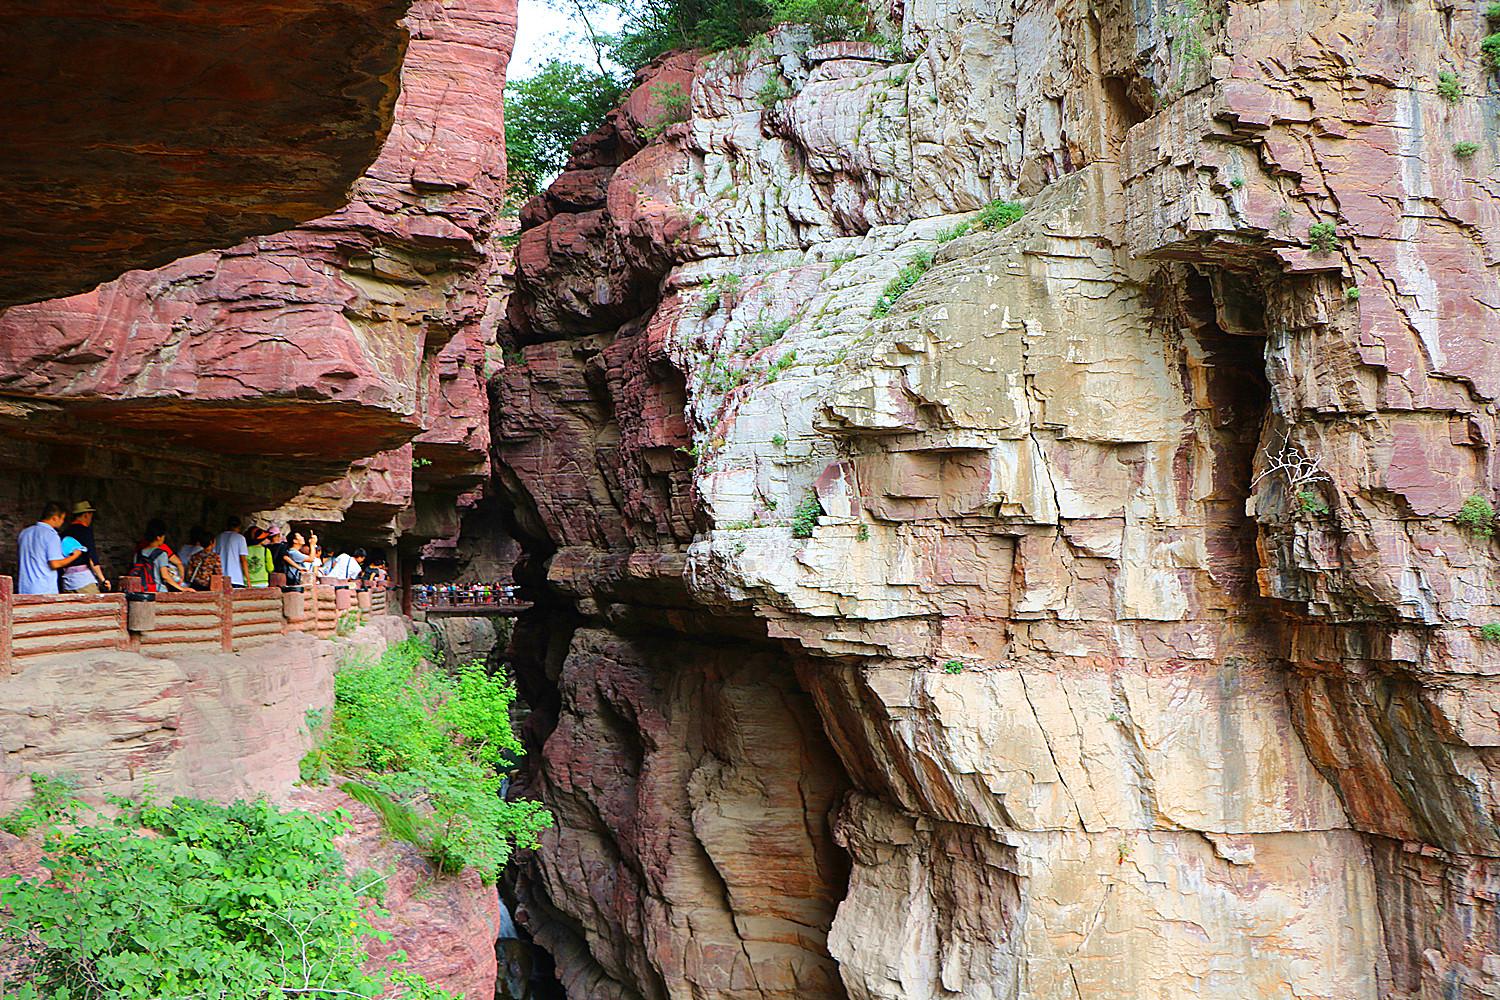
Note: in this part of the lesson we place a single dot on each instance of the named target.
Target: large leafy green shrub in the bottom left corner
(235, 902)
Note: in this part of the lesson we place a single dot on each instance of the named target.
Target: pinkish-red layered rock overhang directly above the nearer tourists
(254, 377)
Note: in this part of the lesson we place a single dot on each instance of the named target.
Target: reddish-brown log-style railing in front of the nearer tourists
(220, 620)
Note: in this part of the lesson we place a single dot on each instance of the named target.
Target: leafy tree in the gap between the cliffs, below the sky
(547, 113)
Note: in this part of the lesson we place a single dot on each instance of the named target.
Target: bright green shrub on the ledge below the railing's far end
(415, 735)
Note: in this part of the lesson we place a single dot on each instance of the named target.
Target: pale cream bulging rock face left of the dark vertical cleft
(1025, 440)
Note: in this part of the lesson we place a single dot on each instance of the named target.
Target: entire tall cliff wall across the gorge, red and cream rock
(1091, 621)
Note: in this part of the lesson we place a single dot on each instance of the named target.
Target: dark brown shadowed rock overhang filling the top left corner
(140, 131)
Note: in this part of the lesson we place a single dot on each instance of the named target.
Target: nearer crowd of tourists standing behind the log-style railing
(59, 555)
